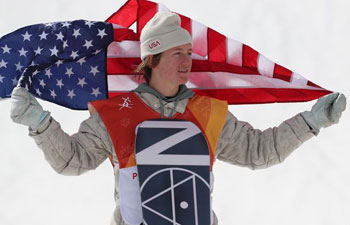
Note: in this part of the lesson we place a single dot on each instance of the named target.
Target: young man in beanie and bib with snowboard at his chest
(161, 109)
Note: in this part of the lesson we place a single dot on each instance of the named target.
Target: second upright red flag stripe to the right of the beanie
(216, 46)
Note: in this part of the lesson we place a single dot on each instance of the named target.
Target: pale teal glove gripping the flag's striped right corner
(326, 111)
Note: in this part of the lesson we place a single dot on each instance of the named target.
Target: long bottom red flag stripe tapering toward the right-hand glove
(262, 95)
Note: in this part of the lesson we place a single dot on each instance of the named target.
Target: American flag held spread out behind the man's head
(72, 63)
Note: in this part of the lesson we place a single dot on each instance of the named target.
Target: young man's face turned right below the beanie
(173, 69)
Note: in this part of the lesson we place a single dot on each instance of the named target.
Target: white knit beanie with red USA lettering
(161, 33)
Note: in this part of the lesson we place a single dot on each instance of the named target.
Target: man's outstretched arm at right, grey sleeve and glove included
(242, 145)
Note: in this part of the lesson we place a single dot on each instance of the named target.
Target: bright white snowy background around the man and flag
(311, 187)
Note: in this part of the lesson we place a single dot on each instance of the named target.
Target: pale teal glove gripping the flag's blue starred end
(26, 110)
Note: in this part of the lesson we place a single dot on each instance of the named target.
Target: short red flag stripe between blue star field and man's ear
(123, 66)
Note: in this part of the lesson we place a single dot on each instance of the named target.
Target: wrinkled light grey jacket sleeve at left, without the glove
(78, 153)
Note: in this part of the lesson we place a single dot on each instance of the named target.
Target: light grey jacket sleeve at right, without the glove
(240, 144)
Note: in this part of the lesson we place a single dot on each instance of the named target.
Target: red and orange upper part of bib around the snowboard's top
(123, 113)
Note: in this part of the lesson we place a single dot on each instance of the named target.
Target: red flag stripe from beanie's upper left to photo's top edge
(146, 11)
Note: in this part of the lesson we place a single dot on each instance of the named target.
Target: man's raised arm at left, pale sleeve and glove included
(68, 155)
